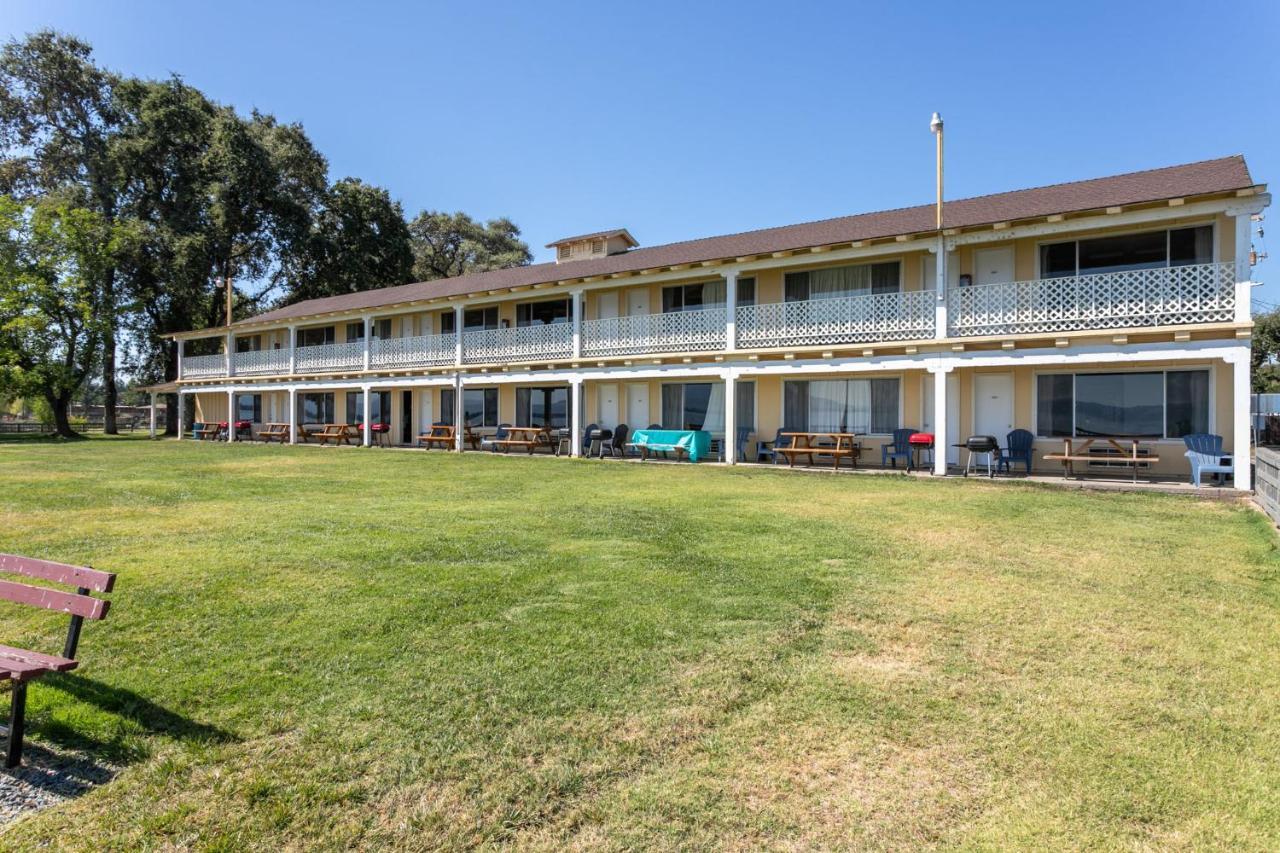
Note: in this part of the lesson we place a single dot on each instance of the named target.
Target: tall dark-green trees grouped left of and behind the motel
(127, 206)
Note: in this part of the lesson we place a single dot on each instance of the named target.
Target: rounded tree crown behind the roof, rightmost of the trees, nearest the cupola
(449, 245)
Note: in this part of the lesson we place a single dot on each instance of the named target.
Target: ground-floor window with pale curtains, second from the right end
(842, 405)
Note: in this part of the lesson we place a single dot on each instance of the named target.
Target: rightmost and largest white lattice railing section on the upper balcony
(1165, 297)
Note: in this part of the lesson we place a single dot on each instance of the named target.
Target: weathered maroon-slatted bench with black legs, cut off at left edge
(22, 667)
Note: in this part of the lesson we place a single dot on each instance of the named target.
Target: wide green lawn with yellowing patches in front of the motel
(371, 649)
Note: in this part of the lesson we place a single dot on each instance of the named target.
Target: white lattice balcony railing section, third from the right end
(674, 332)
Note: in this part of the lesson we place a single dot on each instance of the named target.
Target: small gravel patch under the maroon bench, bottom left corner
(48, 777)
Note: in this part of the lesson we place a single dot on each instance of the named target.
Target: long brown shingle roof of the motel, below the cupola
(1136, 188)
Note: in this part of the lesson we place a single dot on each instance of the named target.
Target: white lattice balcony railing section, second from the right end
(851, 320)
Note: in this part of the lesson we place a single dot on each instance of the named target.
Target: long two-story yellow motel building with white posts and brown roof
(1110, 307)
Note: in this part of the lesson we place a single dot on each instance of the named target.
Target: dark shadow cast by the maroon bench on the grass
(127, 705)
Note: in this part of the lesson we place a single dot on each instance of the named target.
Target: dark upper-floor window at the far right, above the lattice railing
(1145, 250)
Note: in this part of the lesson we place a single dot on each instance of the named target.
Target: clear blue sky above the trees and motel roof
(687, 120)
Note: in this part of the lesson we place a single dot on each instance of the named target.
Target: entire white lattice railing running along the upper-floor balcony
(1167, 297)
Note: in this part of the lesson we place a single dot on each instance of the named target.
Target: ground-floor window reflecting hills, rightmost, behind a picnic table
(1153, 404)
